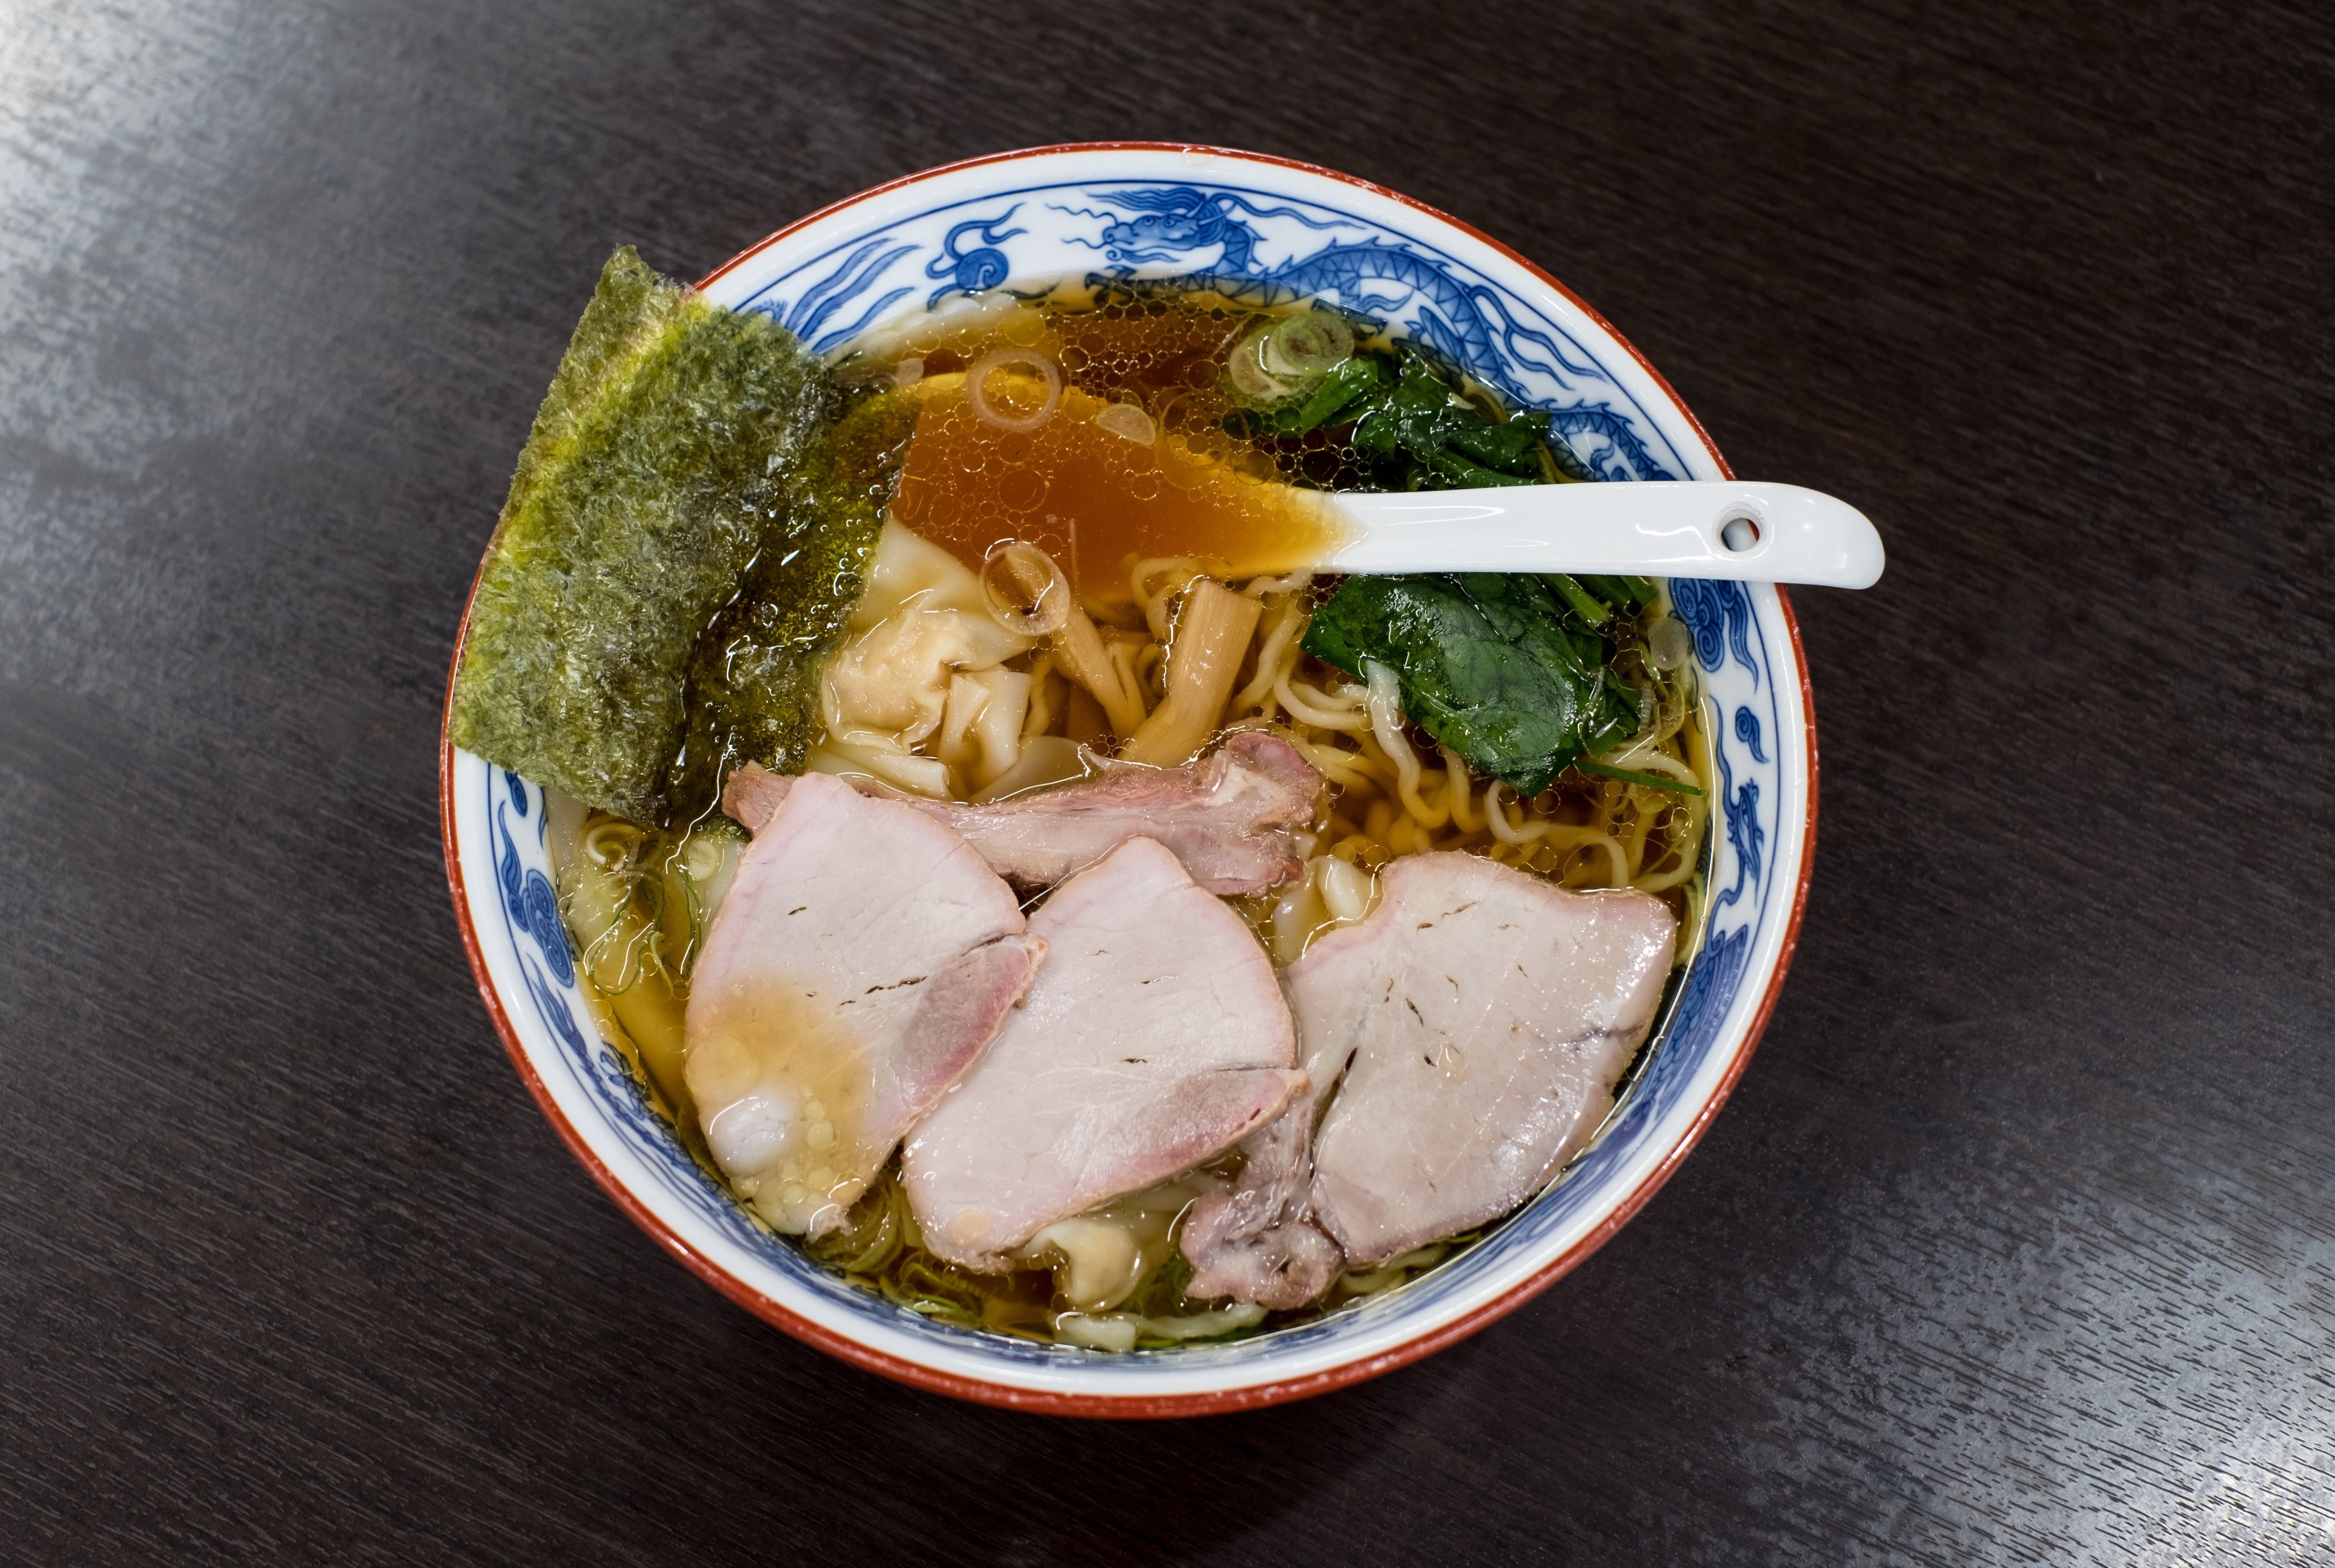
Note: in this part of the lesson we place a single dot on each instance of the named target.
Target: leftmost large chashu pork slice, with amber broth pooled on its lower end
(858, 967)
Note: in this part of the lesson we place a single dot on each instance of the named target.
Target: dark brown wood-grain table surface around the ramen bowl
(2016, 1242)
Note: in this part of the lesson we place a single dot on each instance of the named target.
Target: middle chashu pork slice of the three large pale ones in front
(1152, 1042)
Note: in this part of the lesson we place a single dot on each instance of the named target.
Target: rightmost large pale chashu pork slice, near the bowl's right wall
(1470, 1035)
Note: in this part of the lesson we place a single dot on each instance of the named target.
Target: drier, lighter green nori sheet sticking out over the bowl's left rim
(667, 461)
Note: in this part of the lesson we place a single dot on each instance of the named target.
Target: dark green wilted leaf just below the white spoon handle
(1486, 664)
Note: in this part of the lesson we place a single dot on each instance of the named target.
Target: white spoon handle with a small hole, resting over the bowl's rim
(1680, 528)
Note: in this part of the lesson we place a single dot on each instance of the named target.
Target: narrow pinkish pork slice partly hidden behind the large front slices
(1229, 818)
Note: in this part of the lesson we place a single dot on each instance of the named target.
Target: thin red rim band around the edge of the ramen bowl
(1176, 1403)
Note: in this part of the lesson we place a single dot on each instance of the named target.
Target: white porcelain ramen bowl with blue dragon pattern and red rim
(1274, 230)
